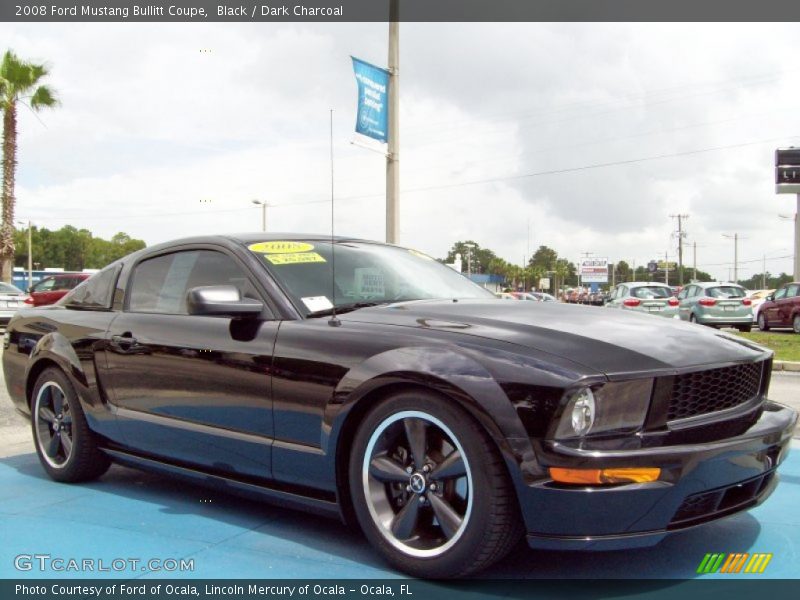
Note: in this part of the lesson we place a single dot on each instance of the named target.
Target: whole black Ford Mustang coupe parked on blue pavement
(370, 382)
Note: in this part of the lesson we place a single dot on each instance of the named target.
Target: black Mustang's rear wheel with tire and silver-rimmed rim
(56, 412)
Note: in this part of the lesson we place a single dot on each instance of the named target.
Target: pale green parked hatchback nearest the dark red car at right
(716, 304)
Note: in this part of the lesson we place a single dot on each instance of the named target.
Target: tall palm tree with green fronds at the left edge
(19, 84)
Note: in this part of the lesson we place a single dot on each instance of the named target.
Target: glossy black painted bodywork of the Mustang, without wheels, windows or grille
(271, 405)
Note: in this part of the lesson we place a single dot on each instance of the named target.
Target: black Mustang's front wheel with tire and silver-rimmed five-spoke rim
(483, 498)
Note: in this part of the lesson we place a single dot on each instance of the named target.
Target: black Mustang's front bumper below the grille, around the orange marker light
(700, 482)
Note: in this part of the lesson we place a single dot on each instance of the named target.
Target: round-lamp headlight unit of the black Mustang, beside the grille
(616, 407)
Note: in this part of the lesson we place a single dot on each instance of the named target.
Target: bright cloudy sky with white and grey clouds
(507, 132)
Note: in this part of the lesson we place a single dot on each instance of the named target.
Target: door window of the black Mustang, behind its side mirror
(160, 284)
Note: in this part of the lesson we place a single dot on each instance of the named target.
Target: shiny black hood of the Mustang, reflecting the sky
(606, 340)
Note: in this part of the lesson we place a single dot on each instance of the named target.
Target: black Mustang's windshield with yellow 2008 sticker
(366, 274)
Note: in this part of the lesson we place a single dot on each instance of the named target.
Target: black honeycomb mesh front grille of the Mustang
(704, 392)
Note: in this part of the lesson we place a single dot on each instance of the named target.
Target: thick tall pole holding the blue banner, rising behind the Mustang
(393, 142)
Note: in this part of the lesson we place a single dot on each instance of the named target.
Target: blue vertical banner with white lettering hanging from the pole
(372, 119)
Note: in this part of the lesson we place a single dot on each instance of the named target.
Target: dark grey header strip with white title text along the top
(410, 10)
